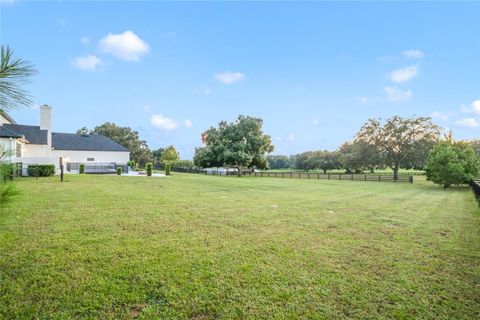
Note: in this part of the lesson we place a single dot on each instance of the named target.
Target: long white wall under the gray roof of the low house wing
(75, 156)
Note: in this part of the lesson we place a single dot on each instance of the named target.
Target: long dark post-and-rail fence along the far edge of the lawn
(302, 175)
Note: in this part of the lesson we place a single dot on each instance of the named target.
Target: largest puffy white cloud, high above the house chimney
(126, 46)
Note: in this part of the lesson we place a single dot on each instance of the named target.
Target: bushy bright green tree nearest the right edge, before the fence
(451, 163)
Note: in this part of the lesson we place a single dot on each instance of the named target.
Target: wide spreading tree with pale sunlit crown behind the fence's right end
(400, 141)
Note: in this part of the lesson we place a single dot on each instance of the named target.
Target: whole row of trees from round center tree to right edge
(408, 143)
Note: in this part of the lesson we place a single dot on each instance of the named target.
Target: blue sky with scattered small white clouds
(314, 72)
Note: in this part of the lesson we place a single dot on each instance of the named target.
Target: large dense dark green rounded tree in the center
(238, 144)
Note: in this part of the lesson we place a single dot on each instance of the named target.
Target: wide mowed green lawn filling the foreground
(203, 247)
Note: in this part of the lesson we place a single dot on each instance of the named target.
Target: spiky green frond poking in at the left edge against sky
(14, 73)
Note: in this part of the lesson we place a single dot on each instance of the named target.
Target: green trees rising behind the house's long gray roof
(139, 151)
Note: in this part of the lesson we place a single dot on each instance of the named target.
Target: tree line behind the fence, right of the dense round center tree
(398, 143)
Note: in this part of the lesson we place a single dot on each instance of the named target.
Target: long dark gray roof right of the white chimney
(92, 142)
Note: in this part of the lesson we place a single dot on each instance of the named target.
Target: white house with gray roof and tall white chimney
(28, 144)
